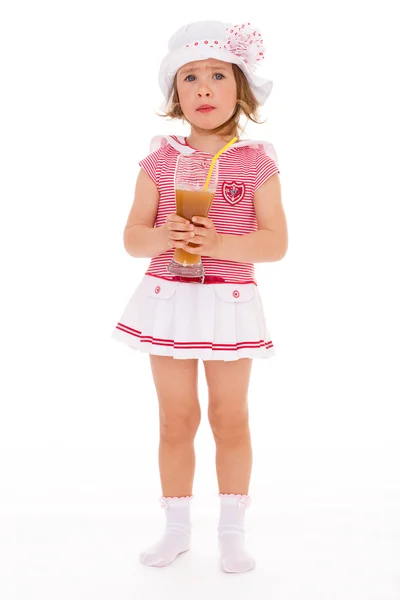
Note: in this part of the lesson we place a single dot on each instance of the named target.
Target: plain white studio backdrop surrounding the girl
(79, 420)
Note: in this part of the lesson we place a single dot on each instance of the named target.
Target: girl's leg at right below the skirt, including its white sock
(228, 415)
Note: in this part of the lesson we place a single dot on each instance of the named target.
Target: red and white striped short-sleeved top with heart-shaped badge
(242, 169)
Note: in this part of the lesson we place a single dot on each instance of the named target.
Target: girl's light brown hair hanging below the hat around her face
(246, 104)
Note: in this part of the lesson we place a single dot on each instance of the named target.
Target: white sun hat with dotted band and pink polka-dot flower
(241, 45)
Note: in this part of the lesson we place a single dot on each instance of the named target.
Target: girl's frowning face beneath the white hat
(209, 82)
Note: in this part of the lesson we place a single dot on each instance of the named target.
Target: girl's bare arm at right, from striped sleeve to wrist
(270, 242)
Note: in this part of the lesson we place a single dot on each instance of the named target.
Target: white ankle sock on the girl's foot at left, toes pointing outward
(176, 538)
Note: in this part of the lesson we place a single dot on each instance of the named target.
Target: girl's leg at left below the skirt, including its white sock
(179, 412)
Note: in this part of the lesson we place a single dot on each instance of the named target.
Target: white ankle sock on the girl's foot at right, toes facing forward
(231, 537)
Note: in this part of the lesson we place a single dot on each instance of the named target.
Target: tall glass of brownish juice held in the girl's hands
(191, 200)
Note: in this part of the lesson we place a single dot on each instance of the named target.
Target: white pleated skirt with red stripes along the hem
(222, 321)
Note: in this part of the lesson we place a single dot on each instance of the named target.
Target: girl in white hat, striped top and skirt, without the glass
(219, 318)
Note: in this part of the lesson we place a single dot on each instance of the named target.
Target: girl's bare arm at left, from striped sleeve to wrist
(141, 238)
